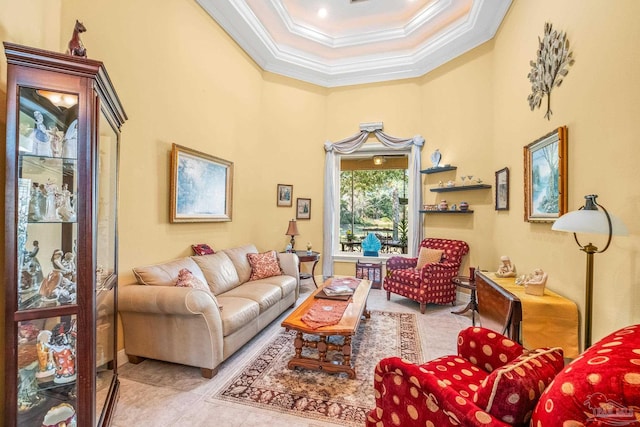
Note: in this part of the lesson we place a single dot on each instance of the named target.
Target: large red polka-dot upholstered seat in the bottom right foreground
(493, 381)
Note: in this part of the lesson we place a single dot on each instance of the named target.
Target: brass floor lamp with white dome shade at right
(590, 219)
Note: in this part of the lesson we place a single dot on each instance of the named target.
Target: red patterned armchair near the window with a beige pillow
(432, 282)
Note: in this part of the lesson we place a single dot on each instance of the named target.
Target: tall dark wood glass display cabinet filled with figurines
(63, 130)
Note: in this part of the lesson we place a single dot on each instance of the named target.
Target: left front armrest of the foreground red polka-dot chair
(409, 396)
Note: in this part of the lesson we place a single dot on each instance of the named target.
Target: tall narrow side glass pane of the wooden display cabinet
(106, 260)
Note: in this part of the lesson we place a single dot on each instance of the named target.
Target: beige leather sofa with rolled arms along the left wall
(196, 327)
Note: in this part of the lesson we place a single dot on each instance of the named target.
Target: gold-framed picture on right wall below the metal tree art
(545, 177)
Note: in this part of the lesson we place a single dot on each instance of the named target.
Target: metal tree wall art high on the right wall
(549, 68)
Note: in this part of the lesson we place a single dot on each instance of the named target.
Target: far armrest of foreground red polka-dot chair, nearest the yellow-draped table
(487, 349)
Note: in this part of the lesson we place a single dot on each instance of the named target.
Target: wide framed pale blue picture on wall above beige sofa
(201, 186)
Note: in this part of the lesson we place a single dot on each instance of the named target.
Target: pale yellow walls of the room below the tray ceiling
(183, 80)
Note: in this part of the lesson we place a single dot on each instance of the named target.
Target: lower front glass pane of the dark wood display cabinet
(47, 371)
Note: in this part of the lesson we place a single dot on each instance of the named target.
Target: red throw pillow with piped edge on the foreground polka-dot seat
(511, 392)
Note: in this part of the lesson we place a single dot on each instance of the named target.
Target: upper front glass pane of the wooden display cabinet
(47, 197)
